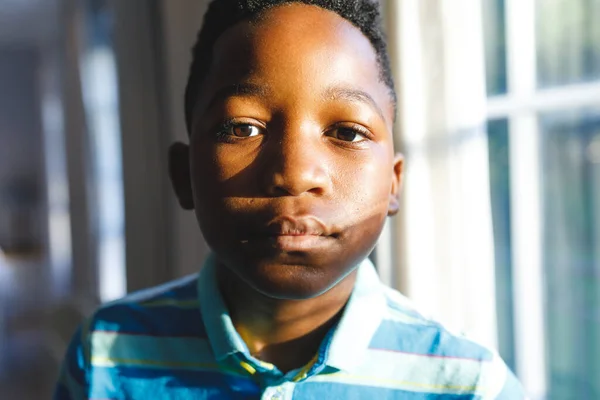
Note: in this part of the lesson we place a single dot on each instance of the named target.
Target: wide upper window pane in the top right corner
(568, 35)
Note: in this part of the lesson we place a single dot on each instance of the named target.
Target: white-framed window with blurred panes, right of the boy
(543, 75)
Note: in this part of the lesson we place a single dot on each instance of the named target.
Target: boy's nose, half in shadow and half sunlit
(294, 165)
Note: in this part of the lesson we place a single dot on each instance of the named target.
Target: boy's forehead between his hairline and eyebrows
(301, 47)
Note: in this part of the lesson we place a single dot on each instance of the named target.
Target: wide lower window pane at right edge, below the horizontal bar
(571, 161)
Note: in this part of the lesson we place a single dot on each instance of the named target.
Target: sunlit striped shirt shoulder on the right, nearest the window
(420, 351)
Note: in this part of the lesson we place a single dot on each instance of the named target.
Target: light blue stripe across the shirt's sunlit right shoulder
(430, 340)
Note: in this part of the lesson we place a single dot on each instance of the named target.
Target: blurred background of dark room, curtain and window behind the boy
(499, 122)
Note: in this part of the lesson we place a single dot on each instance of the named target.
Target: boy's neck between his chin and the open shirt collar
(285, 333)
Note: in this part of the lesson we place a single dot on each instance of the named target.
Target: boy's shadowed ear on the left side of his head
(179, 172)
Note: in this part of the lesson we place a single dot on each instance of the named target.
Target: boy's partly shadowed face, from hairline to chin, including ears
(291, 152)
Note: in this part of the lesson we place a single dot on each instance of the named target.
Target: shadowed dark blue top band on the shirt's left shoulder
(170, 309)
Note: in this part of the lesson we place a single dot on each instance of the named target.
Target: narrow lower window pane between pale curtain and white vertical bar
(500, 194)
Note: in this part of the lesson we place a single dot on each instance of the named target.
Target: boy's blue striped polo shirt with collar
(177, 341)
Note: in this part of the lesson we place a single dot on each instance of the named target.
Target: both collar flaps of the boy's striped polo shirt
(360, 319)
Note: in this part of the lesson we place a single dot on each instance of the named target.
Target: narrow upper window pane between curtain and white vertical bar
(494, 25)
